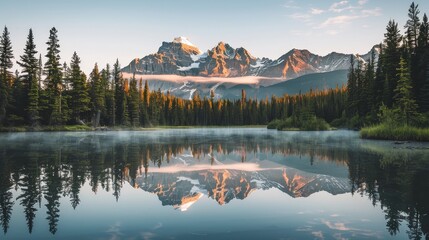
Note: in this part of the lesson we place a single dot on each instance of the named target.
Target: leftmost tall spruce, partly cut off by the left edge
(6, 56)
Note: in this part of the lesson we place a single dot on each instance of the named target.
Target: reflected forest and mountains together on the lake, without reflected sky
(45, 170)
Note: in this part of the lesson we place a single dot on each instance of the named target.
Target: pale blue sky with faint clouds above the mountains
(105, 30)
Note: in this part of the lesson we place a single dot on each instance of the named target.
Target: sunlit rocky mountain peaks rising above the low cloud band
(181, 57)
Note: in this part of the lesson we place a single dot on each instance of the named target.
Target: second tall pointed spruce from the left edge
(29, 65)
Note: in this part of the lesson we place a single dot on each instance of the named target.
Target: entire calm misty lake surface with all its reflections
(226, 183)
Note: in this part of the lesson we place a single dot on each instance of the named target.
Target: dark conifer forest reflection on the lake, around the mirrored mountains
(54, 168)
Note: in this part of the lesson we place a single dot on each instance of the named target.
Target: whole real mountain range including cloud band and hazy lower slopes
(182, 68)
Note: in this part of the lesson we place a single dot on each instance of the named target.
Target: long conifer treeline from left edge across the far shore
(52, 93)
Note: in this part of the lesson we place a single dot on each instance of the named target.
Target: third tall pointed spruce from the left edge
(53, 82)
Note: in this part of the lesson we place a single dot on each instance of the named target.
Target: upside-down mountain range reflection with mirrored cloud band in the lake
(186, 180)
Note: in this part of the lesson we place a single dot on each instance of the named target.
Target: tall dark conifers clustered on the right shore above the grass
(397, 85)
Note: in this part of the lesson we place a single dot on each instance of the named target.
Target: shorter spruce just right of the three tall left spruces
(79, 93)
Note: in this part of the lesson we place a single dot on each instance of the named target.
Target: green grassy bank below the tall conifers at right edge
(398, 133)
